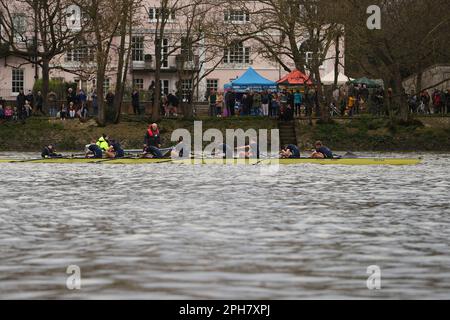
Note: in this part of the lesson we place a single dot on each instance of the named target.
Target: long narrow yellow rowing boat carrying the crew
(208, 161)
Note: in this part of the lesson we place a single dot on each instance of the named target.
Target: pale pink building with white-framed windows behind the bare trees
(228, 63)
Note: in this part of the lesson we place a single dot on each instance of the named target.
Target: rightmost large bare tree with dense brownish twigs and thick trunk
(412, 37)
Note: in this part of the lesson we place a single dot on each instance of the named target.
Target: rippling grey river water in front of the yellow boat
(232, 232)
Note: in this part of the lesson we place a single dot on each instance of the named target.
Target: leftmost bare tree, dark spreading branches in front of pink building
(37, 31)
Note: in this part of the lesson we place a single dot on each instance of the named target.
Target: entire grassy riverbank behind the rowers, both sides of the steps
(357, 135)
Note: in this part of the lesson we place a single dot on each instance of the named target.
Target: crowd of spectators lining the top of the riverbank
(347, 100)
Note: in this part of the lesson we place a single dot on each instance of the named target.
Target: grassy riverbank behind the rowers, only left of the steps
(72, 135)
